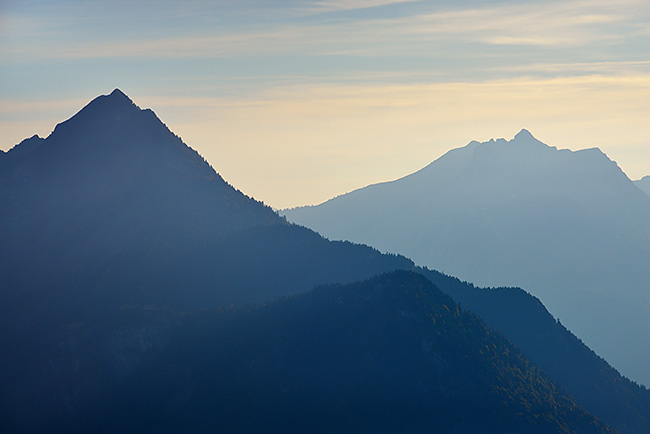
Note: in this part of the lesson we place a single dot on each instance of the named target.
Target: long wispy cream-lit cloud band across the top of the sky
(557, 24)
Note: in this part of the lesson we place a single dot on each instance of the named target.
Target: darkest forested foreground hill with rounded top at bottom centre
(389, 354)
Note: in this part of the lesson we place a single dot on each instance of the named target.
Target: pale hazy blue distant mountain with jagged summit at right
(569, 227)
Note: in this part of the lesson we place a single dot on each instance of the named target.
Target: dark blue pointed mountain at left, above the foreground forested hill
(113, 209)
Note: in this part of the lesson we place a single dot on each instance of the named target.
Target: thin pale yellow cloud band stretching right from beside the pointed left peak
(339, 98)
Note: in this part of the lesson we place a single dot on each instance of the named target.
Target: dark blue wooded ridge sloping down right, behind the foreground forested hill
(522, 318)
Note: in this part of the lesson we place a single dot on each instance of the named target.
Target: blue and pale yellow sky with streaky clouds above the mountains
(294, 102)
